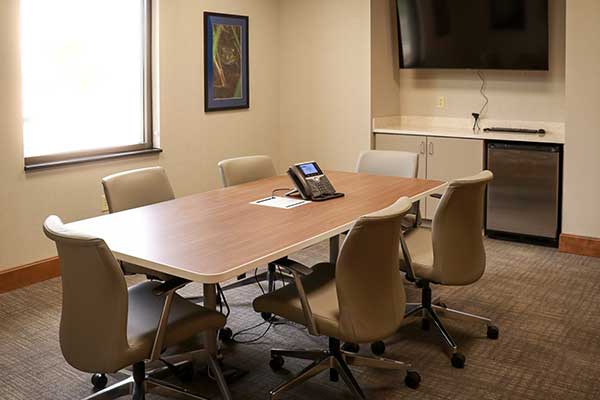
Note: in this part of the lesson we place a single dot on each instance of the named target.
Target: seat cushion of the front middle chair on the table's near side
(322, 296)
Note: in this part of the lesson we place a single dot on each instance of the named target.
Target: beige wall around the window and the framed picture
(193, 141)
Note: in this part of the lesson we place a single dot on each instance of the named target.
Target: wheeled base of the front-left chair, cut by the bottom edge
(141, 383)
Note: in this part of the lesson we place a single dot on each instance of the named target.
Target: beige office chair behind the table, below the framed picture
(237, 171)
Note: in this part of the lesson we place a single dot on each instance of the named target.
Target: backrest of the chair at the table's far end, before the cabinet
(388, 163)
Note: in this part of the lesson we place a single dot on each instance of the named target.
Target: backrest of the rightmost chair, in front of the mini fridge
(457, 231)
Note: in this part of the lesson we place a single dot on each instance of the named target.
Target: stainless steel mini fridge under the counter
(524, 199)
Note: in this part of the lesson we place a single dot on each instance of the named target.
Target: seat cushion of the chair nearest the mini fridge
(420, 248)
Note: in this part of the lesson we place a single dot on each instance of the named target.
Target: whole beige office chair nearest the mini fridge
(451, 253)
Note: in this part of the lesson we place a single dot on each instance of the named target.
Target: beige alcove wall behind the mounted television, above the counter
(514, 95)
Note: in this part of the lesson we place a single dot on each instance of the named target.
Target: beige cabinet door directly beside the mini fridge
(449, 159)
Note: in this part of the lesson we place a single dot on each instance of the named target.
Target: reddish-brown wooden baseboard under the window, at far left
(26, 275)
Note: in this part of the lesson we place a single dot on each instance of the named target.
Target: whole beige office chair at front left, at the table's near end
(127, 326)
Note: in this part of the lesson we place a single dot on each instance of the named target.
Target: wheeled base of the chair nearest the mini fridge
(428, 307)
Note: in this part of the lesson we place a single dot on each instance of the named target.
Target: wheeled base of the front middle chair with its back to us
(337, 362)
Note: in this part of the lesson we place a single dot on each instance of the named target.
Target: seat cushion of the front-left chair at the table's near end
(186, 319)
